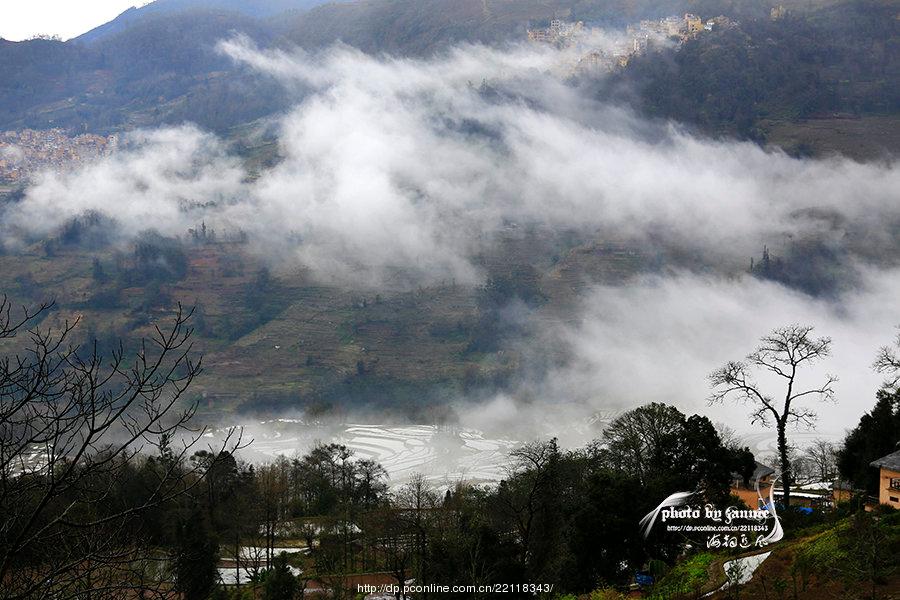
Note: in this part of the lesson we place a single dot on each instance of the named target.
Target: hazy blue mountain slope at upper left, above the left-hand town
(162, 69)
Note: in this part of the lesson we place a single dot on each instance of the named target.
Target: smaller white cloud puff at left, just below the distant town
(165, 179)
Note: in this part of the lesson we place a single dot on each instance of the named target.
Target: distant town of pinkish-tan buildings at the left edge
(26, 152)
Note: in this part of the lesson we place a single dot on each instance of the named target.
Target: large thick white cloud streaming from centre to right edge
(415, 162)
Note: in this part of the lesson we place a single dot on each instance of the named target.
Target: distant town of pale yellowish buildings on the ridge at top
(639, 39)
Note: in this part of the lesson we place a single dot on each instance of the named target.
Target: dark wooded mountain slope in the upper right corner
(836, 59)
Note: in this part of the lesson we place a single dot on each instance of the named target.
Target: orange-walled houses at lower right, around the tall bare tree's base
(819, 495)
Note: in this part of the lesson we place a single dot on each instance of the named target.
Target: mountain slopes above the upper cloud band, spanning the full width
(157, 65)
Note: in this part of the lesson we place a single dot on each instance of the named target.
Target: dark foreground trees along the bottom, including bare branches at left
(107, 490)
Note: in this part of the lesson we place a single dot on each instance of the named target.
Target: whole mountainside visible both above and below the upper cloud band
(275, 337)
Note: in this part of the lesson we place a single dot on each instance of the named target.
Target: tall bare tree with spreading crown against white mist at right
(783, 353)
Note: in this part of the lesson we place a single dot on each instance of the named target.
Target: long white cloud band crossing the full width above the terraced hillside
(401, 170)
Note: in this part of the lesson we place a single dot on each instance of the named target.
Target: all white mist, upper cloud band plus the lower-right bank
(415, 166)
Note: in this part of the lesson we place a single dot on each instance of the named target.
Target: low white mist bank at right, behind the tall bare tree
(658, 338)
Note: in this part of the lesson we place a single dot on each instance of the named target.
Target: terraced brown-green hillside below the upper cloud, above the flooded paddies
(277, 340)
